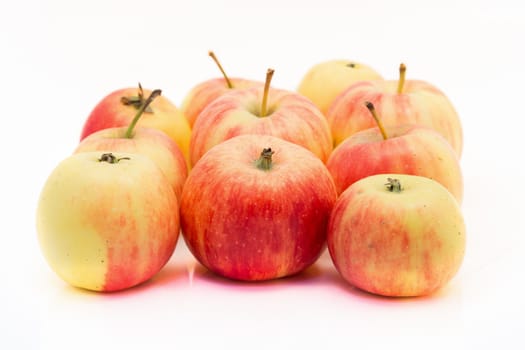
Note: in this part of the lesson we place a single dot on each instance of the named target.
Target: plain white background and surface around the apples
(59, 58)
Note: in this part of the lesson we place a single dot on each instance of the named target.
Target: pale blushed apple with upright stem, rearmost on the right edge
(398, 102)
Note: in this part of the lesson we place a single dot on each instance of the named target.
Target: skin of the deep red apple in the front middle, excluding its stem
(249, 224)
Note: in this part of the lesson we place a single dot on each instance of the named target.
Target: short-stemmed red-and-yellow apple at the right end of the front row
(397, 235)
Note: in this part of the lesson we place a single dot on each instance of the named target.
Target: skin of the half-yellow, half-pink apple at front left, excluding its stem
(107, 227)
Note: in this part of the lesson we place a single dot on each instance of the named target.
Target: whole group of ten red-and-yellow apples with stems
(260, 180)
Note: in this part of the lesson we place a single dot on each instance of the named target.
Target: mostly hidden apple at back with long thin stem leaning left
(207, 91)
